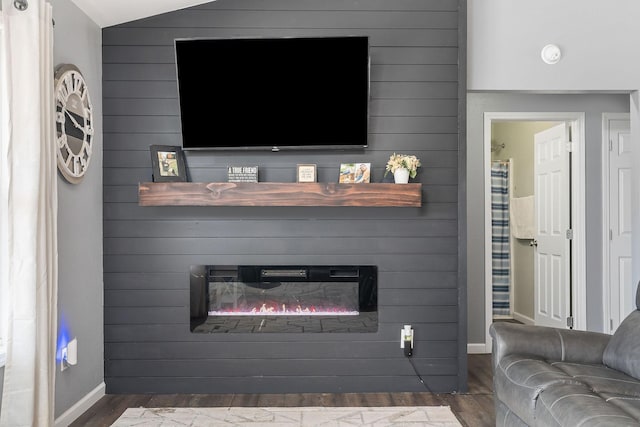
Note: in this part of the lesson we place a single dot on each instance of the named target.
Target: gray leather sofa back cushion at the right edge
(623, 351)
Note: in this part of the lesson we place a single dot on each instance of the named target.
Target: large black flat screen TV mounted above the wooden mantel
(273, 93)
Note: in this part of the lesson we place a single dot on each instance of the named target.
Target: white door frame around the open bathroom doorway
(578, 221)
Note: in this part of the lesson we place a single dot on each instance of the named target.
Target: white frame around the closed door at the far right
(606, 220)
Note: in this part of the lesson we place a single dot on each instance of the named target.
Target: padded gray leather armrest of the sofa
(547, 343)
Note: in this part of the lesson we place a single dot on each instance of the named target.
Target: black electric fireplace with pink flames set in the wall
(254, 299)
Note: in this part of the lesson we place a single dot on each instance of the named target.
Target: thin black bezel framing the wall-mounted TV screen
(269, 147)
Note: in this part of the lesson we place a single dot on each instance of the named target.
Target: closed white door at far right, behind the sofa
(621, 289)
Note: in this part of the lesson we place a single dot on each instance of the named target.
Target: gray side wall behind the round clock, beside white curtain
(78, 40)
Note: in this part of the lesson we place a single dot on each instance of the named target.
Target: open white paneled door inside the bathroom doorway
(552, 282)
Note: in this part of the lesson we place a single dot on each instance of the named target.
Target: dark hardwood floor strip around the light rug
(474, 408)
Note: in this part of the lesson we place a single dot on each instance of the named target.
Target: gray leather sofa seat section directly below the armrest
(518, 381)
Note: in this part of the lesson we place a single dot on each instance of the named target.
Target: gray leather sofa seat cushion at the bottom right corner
(576, 405)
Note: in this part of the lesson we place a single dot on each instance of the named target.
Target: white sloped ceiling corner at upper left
(106, 13)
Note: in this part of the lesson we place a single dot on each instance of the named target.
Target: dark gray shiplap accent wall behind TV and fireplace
(147, 250)
